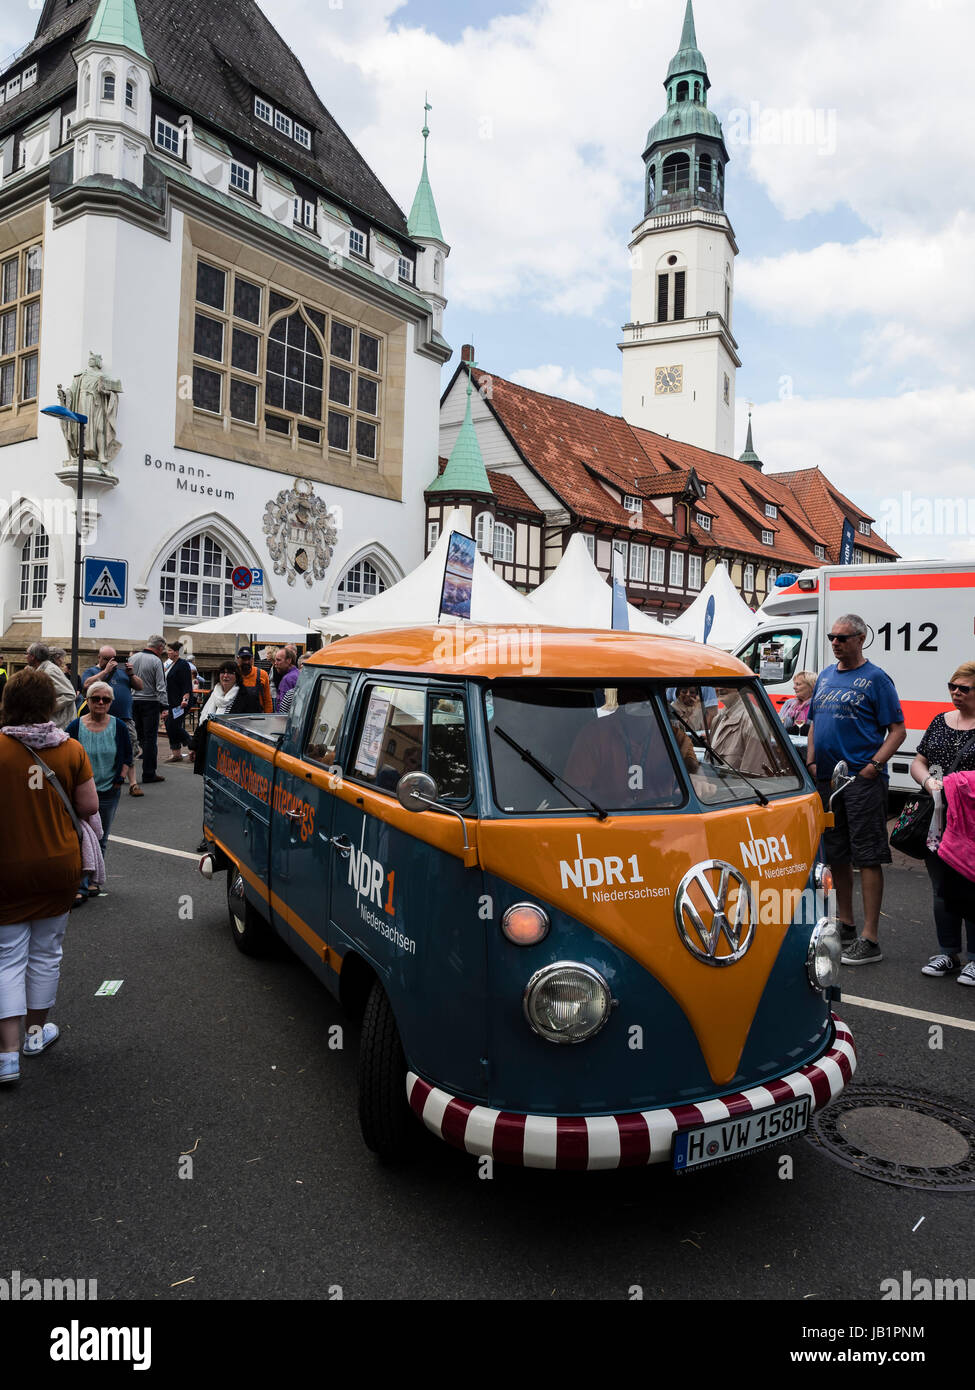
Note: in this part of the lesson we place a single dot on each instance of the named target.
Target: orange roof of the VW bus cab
(472, 650)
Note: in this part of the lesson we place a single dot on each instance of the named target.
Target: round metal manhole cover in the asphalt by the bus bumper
(898, 1138)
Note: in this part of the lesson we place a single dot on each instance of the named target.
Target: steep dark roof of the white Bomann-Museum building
(211, 59)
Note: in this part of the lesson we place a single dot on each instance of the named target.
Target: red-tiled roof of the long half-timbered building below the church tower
(572, 448)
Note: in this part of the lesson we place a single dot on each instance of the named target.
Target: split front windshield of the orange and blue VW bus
(622, 749)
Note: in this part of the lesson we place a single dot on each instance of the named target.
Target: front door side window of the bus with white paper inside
(412, 730)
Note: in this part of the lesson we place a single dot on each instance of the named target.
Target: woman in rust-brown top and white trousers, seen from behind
(40, 860)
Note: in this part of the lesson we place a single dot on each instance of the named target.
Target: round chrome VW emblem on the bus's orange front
(714, 901)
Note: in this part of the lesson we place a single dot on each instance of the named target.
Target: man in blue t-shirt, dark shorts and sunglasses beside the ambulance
(856, 719)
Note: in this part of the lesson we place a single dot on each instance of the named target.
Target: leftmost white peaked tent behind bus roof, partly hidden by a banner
(415, 601)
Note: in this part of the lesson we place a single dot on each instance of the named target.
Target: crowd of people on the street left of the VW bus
(66, 757)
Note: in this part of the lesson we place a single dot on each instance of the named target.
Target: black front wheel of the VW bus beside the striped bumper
(387, 1124)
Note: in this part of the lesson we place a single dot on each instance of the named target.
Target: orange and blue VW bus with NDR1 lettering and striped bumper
(570, 879)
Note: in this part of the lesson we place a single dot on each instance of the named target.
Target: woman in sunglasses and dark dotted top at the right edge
(949, 744)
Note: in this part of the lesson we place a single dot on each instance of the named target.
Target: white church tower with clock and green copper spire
(679, 357)
